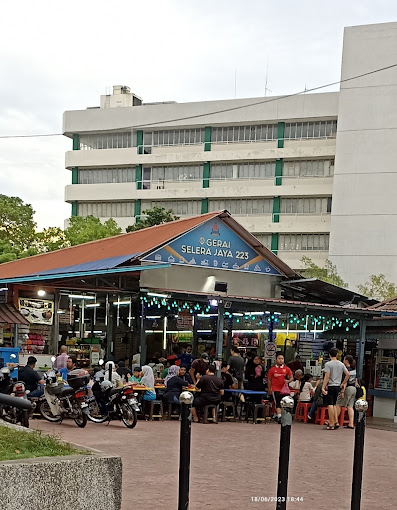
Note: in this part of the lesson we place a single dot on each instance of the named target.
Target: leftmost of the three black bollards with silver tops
(186, 400)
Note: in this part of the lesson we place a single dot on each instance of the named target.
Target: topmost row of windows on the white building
(195, 136)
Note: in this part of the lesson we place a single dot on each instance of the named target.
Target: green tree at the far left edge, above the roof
(17, 225)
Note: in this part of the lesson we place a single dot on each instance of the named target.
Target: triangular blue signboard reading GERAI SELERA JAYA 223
(213, 244)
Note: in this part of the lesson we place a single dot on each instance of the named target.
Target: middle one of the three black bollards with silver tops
(287, 404)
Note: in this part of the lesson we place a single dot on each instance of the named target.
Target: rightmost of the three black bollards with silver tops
(361, 407)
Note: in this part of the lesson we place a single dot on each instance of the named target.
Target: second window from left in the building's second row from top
(157, 175)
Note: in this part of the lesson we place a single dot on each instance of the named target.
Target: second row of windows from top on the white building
(251, 170)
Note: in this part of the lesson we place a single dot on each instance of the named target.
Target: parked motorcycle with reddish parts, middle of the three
(65, 402)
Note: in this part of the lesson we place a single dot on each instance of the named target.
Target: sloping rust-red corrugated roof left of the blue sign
(117, 246)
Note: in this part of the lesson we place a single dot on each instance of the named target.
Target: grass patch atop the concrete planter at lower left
(15, 444)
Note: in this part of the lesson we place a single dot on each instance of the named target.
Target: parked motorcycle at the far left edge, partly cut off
(10, 411)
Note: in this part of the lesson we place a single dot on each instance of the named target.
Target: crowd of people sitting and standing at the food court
(337, 387)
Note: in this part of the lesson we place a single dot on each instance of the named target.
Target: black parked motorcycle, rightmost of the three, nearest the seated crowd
(109, 403)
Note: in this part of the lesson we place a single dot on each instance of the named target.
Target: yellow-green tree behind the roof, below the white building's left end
(82, 230)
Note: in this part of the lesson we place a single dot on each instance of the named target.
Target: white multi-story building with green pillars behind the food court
(269, 161)
